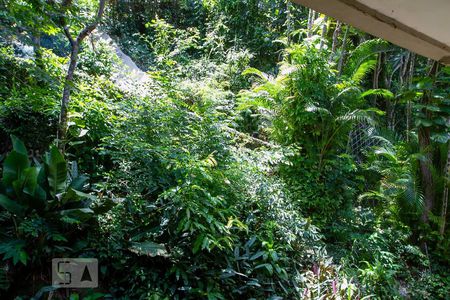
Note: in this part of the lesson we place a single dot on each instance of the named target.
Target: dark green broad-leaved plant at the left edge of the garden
(44, 213)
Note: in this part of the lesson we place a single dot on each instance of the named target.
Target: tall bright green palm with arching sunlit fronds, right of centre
(313, 107)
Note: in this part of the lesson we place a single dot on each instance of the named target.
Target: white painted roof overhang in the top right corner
(422, 26)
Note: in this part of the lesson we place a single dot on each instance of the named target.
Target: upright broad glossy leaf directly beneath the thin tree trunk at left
(56, 171)
